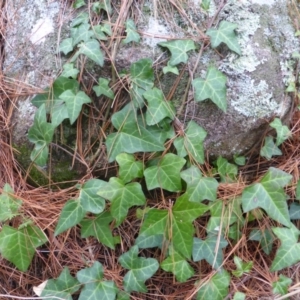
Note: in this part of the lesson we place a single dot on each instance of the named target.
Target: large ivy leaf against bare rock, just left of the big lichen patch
(213, 88)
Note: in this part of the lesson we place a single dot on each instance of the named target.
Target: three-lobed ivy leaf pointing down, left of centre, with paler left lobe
(122, 197)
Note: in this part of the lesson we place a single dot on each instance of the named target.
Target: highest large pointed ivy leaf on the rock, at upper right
(225, 34)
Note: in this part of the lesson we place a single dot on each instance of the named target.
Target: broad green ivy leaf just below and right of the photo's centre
(166, 174)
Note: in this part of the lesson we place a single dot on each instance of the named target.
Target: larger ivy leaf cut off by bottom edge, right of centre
(216, 288)
